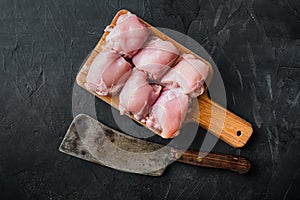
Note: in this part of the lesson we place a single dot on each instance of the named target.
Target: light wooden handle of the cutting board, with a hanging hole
(224, 124)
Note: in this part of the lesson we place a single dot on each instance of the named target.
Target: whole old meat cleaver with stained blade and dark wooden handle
(90, 140)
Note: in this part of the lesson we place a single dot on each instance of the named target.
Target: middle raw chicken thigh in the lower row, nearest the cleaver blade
(137, 95)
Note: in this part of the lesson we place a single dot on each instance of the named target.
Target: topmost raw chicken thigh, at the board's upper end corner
(128, 36)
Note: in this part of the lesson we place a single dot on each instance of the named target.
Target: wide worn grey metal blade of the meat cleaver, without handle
(90, 140)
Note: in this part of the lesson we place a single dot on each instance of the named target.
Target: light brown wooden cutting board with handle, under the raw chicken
(224, 124)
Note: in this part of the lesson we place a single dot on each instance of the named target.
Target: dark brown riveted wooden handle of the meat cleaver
(233, 163)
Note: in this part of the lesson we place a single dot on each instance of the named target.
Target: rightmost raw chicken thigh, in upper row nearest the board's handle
(190, 74)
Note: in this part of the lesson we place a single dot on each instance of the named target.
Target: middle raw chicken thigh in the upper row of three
(156, 57)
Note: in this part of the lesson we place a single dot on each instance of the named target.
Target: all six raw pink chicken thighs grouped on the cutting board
(154, 82)
